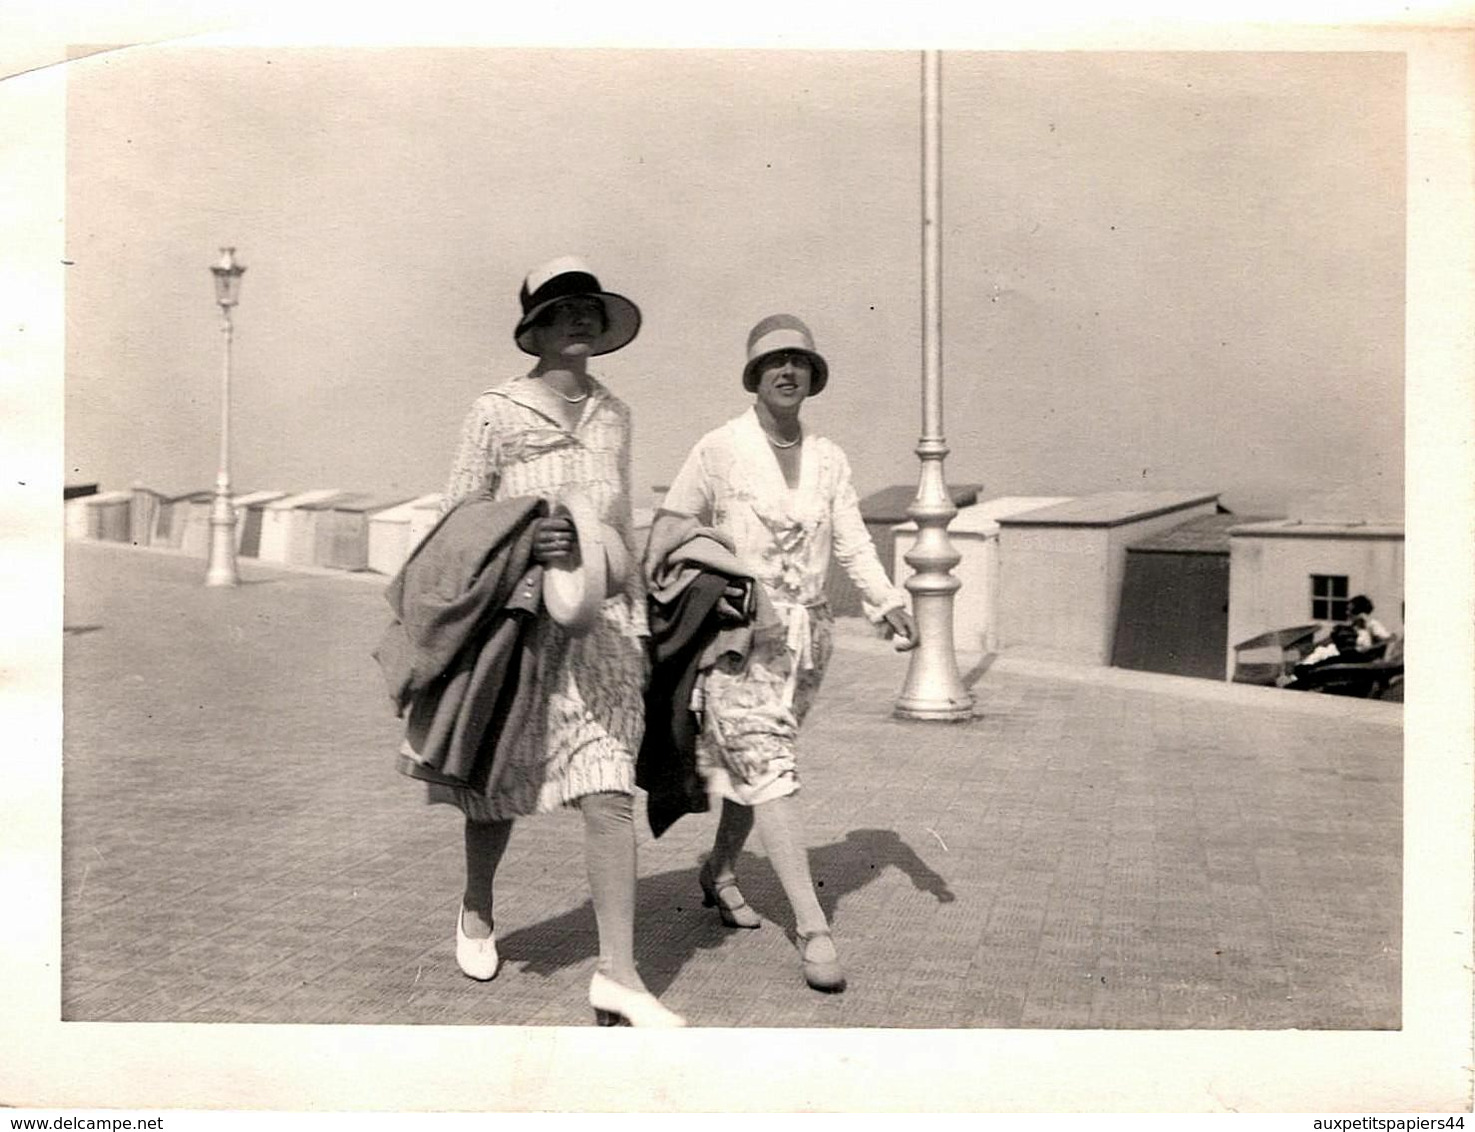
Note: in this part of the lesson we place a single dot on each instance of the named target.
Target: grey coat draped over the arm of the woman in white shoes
(458, 643)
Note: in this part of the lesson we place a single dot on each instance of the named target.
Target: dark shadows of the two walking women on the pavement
(672, 926)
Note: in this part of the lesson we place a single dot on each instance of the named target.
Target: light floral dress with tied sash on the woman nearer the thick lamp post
(787, 536)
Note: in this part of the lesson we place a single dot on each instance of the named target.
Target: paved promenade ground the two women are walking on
(1095, 849)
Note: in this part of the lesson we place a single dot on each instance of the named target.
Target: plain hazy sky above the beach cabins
(1162, 271)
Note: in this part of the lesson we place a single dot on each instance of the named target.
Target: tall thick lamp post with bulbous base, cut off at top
(933, 690)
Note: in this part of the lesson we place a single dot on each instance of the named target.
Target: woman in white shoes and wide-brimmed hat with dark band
(557, 433)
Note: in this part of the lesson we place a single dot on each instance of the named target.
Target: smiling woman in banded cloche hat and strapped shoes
(787, 501)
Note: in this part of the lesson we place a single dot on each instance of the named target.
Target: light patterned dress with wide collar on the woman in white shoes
(588, 691)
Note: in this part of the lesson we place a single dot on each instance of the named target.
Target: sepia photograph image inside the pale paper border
(821, 544)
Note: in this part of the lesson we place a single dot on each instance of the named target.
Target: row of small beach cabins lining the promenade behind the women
(1166, 582)
